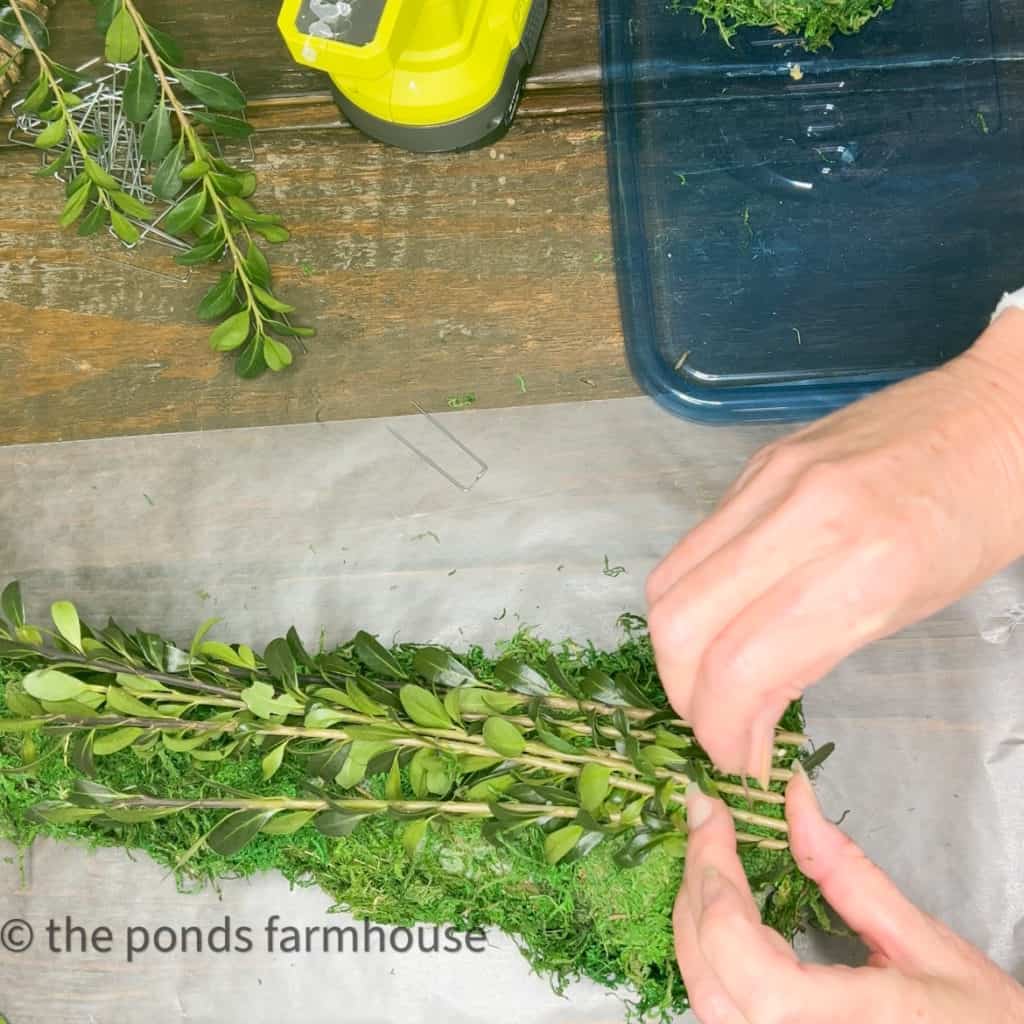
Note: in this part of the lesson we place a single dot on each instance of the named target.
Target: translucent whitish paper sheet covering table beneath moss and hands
(339, 527)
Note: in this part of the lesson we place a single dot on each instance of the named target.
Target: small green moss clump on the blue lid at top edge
(817, 22)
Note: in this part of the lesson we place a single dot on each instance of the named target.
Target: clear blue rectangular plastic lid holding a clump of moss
(795, 230)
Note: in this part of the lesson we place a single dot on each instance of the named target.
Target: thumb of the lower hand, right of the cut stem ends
(895, 931)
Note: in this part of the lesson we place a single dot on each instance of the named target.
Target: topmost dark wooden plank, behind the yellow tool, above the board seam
(243, 36)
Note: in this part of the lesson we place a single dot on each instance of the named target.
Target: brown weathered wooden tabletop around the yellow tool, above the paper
(426, 277)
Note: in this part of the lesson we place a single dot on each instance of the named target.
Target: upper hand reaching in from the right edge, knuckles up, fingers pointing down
(840, 534)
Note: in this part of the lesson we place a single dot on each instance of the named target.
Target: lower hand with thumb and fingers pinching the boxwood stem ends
(738, 971)
